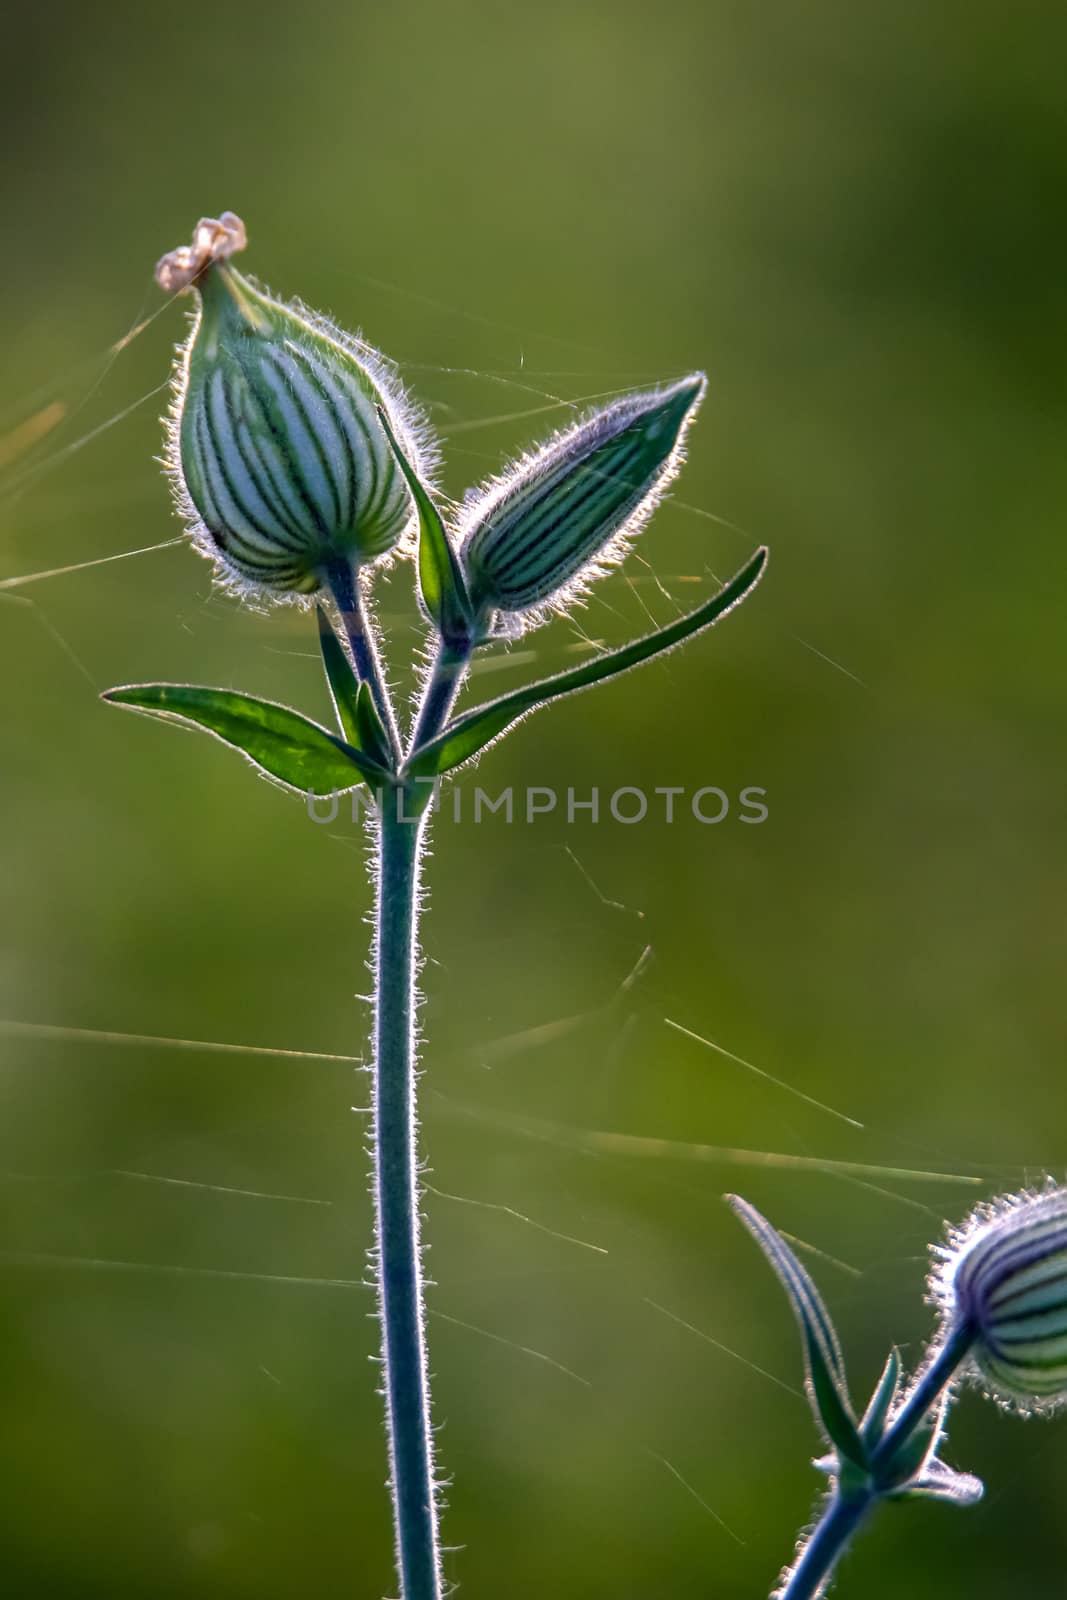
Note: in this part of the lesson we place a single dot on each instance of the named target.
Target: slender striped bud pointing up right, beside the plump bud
(561, 518)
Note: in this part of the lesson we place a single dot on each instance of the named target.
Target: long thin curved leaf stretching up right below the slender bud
(482, 727)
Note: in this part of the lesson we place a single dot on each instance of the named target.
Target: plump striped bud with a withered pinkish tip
(276, 449)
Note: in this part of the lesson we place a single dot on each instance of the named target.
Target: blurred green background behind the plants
(853, 218)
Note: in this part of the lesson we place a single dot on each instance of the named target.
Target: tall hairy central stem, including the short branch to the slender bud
(401, 836)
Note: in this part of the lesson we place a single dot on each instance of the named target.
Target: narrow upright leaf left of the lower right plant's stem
(823, 1354)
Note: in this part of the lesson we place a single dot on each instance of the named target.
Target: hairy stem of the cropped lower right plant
(849, 1508)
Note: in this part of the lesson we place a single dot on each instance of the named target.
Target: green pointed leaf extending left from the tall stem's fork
(276, 740)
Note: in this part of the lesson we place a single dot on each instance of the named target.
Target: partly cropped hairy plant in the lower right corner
(1001, 1287)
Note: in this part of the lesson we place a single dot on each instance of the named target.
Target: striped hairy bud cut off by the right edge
(1004, 1276)
